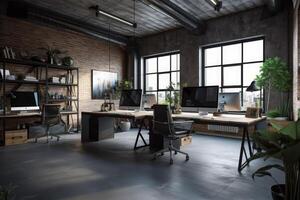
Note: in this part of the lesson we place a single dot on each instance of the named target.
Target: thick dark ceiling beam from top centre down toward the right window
(176, 12)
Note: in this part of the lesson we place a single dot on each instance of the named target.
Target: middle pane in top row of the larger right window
(232, 54)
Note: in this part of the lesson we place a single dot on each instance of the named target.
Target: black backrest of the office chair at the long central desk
(162, 120)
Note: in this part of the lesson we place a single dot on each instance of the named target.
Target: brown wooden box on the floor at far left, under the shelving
(16, 137)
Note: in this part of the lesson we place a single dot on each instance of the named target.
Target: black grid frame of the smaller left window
(158, 73)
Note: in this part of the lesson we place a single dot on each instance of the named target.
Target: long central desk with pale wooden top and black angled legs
(226, 119)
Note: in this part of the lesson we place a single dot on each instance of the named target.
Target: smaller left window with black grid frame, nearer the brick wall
(159, 73)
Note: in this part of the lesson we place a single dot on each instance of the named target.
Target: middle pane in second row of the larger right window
(232, 75)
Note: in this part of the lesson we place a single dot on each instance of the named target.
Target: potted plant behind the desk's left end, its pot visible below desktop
(124, 124)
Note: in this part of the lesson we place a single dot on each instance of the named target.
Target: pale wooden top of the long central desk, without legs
(232, 119)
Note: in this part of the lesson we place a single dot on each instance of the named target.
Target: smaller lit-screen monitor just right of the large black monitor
(230, 101)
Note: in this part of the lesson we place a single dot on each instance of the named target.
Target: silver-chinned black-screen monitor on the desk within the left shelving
(24, 101)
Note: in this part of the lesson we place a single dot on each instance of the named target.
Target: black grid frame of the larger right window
(242, 63)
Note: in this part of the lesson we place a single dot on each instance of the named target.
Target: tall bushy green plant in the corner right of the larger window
(275, 74)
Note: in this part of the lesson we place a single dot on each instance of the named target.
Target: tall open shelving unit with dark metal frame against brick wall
(29, 66)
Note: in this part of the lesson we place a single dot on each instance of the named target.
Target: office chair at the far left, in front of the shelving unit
(50, 117)
